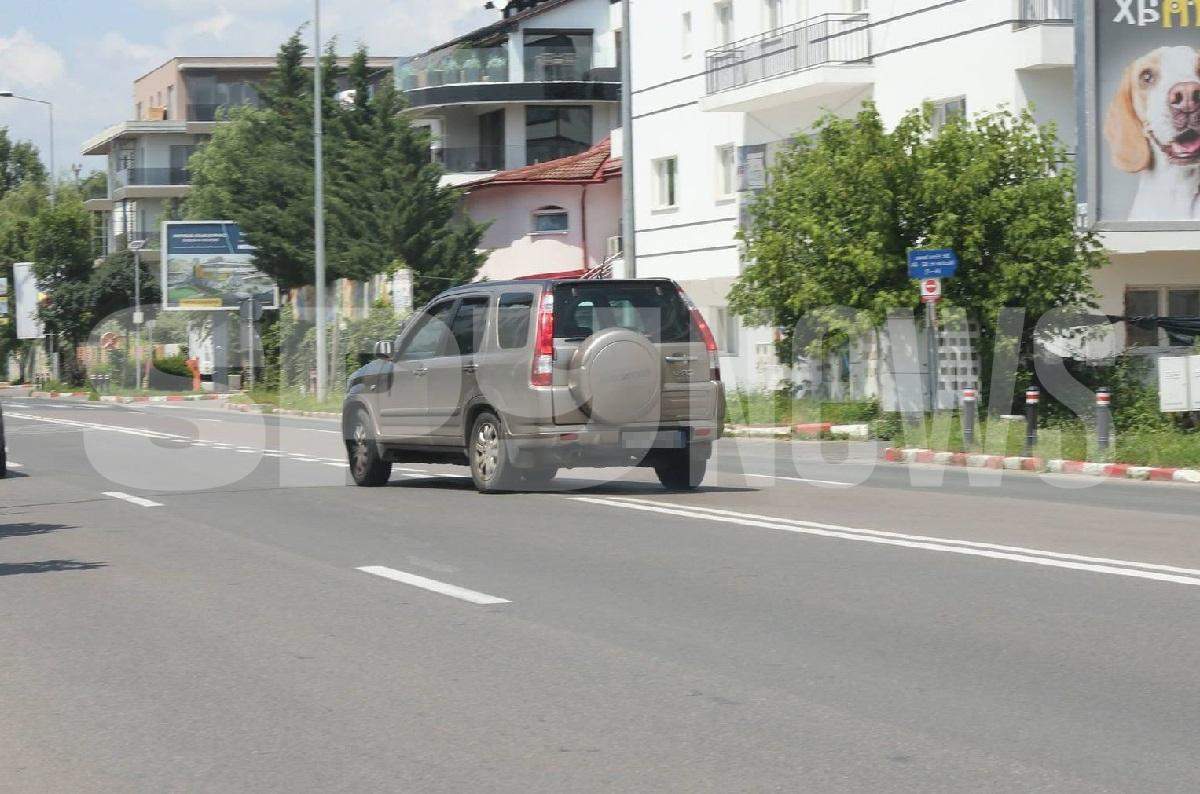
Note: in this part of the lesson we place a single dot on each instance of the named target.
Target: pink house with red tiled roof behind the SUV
(560, 218)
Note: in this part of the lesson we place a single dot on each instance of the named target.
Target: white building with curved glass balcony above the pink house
(539, 85)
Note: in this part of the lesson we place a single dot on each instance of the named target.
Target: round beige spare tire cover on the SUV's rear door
(616, 377)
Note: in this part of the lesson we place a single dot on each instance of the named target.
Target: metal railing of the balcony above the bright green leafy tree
(820, 41)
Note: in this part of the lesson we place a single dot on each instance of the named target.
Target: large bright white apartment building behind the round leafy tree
(721, 86)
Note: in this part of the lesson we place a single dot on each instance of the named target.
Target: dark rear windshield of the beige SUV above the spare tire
(652, 309)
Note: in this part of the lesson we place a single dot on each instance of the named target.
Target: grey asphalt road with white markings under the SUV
(184, 607)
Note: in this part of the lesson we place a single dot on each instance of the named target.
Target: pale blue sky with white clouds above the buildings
(83, 56)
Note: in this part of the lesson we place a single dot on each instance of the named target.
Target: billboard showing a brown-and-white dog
(1141, 113)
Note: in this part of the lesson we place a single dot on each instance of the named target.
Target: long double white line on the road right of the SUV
(973, 549)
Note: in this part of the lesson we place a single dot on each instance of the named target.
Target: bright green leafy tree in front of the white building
(844, 208)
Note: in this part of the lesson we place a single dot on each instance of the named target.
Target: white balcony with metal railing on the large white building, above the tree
(818, 58)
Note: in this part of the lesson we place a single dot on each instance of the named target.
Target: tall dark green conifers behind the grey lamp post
(385, 203)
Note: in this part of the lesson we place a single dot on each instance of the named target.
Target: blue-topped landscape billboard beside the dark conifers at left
(208, 267)
